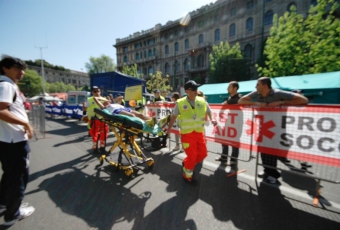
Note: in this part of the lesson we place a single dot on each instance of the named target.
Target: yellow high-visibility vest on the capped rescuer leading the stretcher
(190, 119)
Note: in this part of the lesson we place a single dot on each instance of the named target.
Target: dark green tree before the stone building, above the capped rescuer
(227, 64)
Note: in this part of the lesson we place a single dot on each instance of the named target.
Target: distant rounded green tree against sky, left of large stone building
(101, 64)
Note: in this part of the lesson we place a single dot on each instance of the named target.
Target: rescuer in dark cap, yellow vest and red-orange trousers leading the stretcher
(191, 111)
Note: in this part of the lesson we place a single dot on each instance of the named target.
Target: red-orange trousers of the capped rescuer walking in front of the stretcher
(195, 148)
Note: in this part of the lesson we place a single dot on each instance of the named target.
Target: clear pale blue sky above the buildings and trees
(69, 32)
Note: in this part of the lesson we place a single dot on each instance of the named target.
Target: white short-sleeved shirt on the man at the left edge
(12, 132)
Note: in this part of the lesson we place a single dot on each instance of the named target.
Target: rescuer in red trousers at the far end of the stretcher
(97, 127)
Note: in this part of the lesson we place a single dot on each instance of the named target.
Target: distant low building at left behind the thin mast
(76, 78)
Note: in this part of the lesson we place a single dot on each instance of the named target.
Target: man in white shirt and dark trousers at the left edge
(15, 131)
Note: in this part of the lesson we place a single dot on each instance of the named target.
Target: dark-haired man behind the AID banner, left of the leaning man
(233, 98)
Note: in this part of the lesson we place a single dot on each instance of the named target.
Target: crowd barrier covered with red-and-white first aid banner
(299, 133)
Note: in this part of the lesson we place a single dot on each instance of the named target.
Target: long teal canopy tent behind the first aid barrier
(322, 88)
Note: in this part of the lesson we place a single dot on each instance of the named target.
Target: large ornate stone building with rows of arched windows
(182, 52)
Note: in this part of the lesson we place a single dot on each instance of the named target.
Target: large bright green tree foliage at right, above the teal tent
(303, 46)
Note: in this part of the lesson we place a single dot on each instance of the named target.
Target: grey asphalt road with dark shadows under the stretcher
(71, 190)
